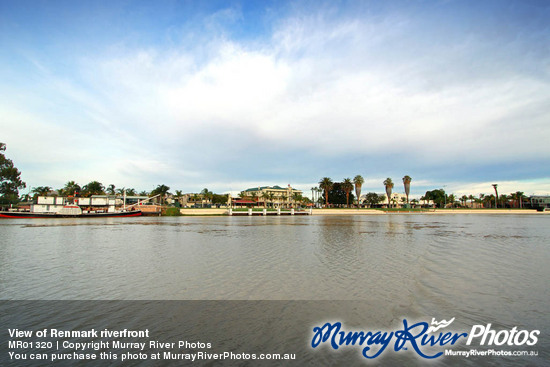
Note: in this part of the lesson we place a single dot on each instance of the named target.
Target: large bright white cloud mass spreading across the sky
(321, 84)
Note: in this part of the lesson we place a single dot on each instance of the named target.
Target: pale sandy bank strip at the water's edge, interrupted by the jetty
(351, 211)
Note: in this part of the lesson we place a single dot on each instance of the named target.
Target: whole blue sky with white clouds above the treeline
(230, 95)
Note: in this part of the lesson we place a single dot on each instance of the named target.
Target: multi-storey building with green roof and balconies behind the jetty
(273, 196)
